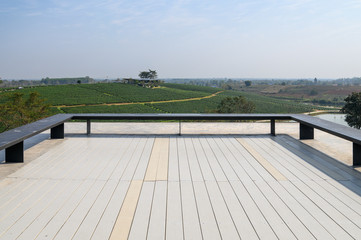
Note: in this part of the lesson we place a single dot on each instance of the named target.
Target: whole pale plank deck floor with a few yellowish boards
(189, 187)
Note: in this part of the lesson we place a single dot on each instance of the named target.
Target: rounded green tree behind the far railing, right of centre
(235, 105)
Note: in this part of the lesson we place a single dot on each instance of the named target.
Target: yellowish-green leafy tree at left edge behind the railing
(17, 111)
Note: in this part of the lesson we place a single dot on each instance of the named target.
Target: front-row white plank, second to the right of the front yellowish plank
(156, 229)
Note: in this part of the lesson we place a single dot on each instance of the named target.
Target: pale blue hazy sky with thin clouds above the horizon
(180, 38)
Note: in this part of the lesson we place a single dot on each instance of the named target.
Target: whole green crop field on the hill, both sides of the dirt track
(92, 98)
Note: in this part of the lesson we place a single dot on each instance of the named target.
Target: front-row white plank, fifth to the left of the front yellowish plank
(41, 221)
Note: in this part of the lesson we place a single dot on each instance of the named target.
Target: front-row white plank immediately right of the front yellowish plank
(141, 218)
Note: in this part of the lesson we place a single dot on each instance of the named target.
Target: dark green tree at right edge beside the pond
(352, 109)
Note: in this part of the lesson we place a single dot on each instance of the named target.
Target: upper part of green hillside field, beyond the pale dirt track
(89, 94)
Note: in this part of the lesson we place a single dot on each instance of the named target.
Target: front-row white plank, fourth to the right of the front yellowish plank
(191, 224)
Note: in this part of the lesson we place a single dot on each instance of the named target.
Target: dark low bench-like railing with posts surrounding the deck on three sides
(12, 141)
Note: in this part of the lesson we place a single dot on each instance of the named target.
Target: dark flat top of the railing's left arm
(19, 134)
